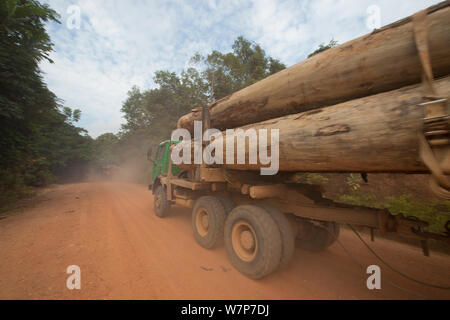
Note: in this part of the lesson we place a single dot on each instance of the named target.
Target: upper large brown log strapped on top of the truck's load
(384, 60)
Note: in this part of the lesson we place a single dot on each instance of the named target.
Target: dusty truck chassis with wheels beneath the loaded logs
(261, 223)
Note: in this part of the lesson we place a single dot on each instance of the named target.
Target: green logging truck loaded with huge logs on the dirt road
(358, 108)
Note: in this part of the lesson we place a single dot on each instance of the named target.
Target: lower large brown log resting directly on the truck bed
(371, 134)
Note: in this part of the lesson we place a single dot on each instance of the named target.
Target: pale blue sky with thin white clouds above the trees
(102, 48)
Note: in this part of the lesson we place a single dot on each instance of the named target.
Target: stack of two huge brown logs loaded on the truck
(352, 108)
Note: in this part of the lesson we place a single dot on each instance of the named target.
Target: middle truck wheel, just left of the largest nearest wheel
(208, 220)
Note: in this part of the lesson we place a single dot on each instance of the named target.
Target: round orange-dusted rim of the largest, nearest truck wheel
(244, 241)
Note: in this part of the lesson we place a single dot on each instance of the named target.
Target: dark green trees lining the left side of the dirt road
(38, 140)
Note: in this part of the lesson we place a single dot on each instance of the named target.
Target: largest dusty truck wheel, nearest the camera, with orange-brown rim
(253, 241)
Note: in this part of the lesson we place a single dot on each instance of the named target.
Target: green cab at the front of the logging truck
(160, 159)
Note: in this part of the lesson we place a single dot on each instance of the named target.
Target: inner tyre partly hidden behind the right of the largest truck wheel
(286, 232)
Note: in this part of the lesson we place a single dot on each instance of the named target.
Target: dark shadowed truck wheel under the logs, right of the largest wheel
(317, 238)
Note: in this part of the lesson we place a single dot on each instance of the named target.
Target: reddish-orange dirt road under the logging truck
(125, 251)
